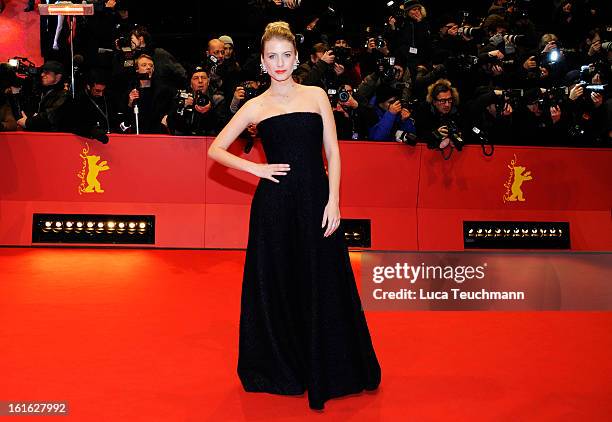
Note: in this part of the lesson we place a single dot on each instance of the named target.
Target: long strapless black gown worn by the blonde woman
(301, 323)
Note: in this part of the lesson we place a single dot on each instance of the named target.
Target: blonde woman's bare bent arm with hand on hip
(218, 149)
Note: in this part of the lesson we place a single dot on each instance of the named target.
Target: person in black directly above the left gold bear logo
(93, 114)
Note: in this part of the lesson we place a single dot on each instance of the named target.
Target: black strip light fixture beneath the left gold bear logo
(93, 228)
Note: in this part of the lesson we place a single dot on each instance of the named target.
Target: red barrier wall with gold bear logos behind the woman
(414, 199)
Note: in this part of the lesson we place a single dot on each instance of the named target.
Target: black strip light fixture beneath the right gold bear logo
(515, 235)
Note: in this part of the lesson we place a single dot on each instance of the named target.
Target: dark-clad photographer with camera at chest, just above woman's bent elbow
(193, 112)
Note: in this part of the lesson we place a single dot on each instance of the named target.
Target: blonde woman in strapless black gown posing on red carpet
(301, 324)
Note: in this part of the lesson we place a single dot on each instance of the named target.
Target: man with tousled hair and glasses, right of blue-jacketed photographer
(438, 121)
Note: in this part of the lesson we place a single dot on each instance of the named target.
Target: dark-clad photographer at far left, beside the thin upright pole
(54, 106)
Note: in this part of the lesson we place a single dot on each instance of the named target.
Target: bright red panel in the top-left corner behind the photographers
(19, 32)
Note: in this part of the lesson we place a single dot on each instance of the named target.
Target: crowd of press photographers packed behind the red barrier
(509, 73)
